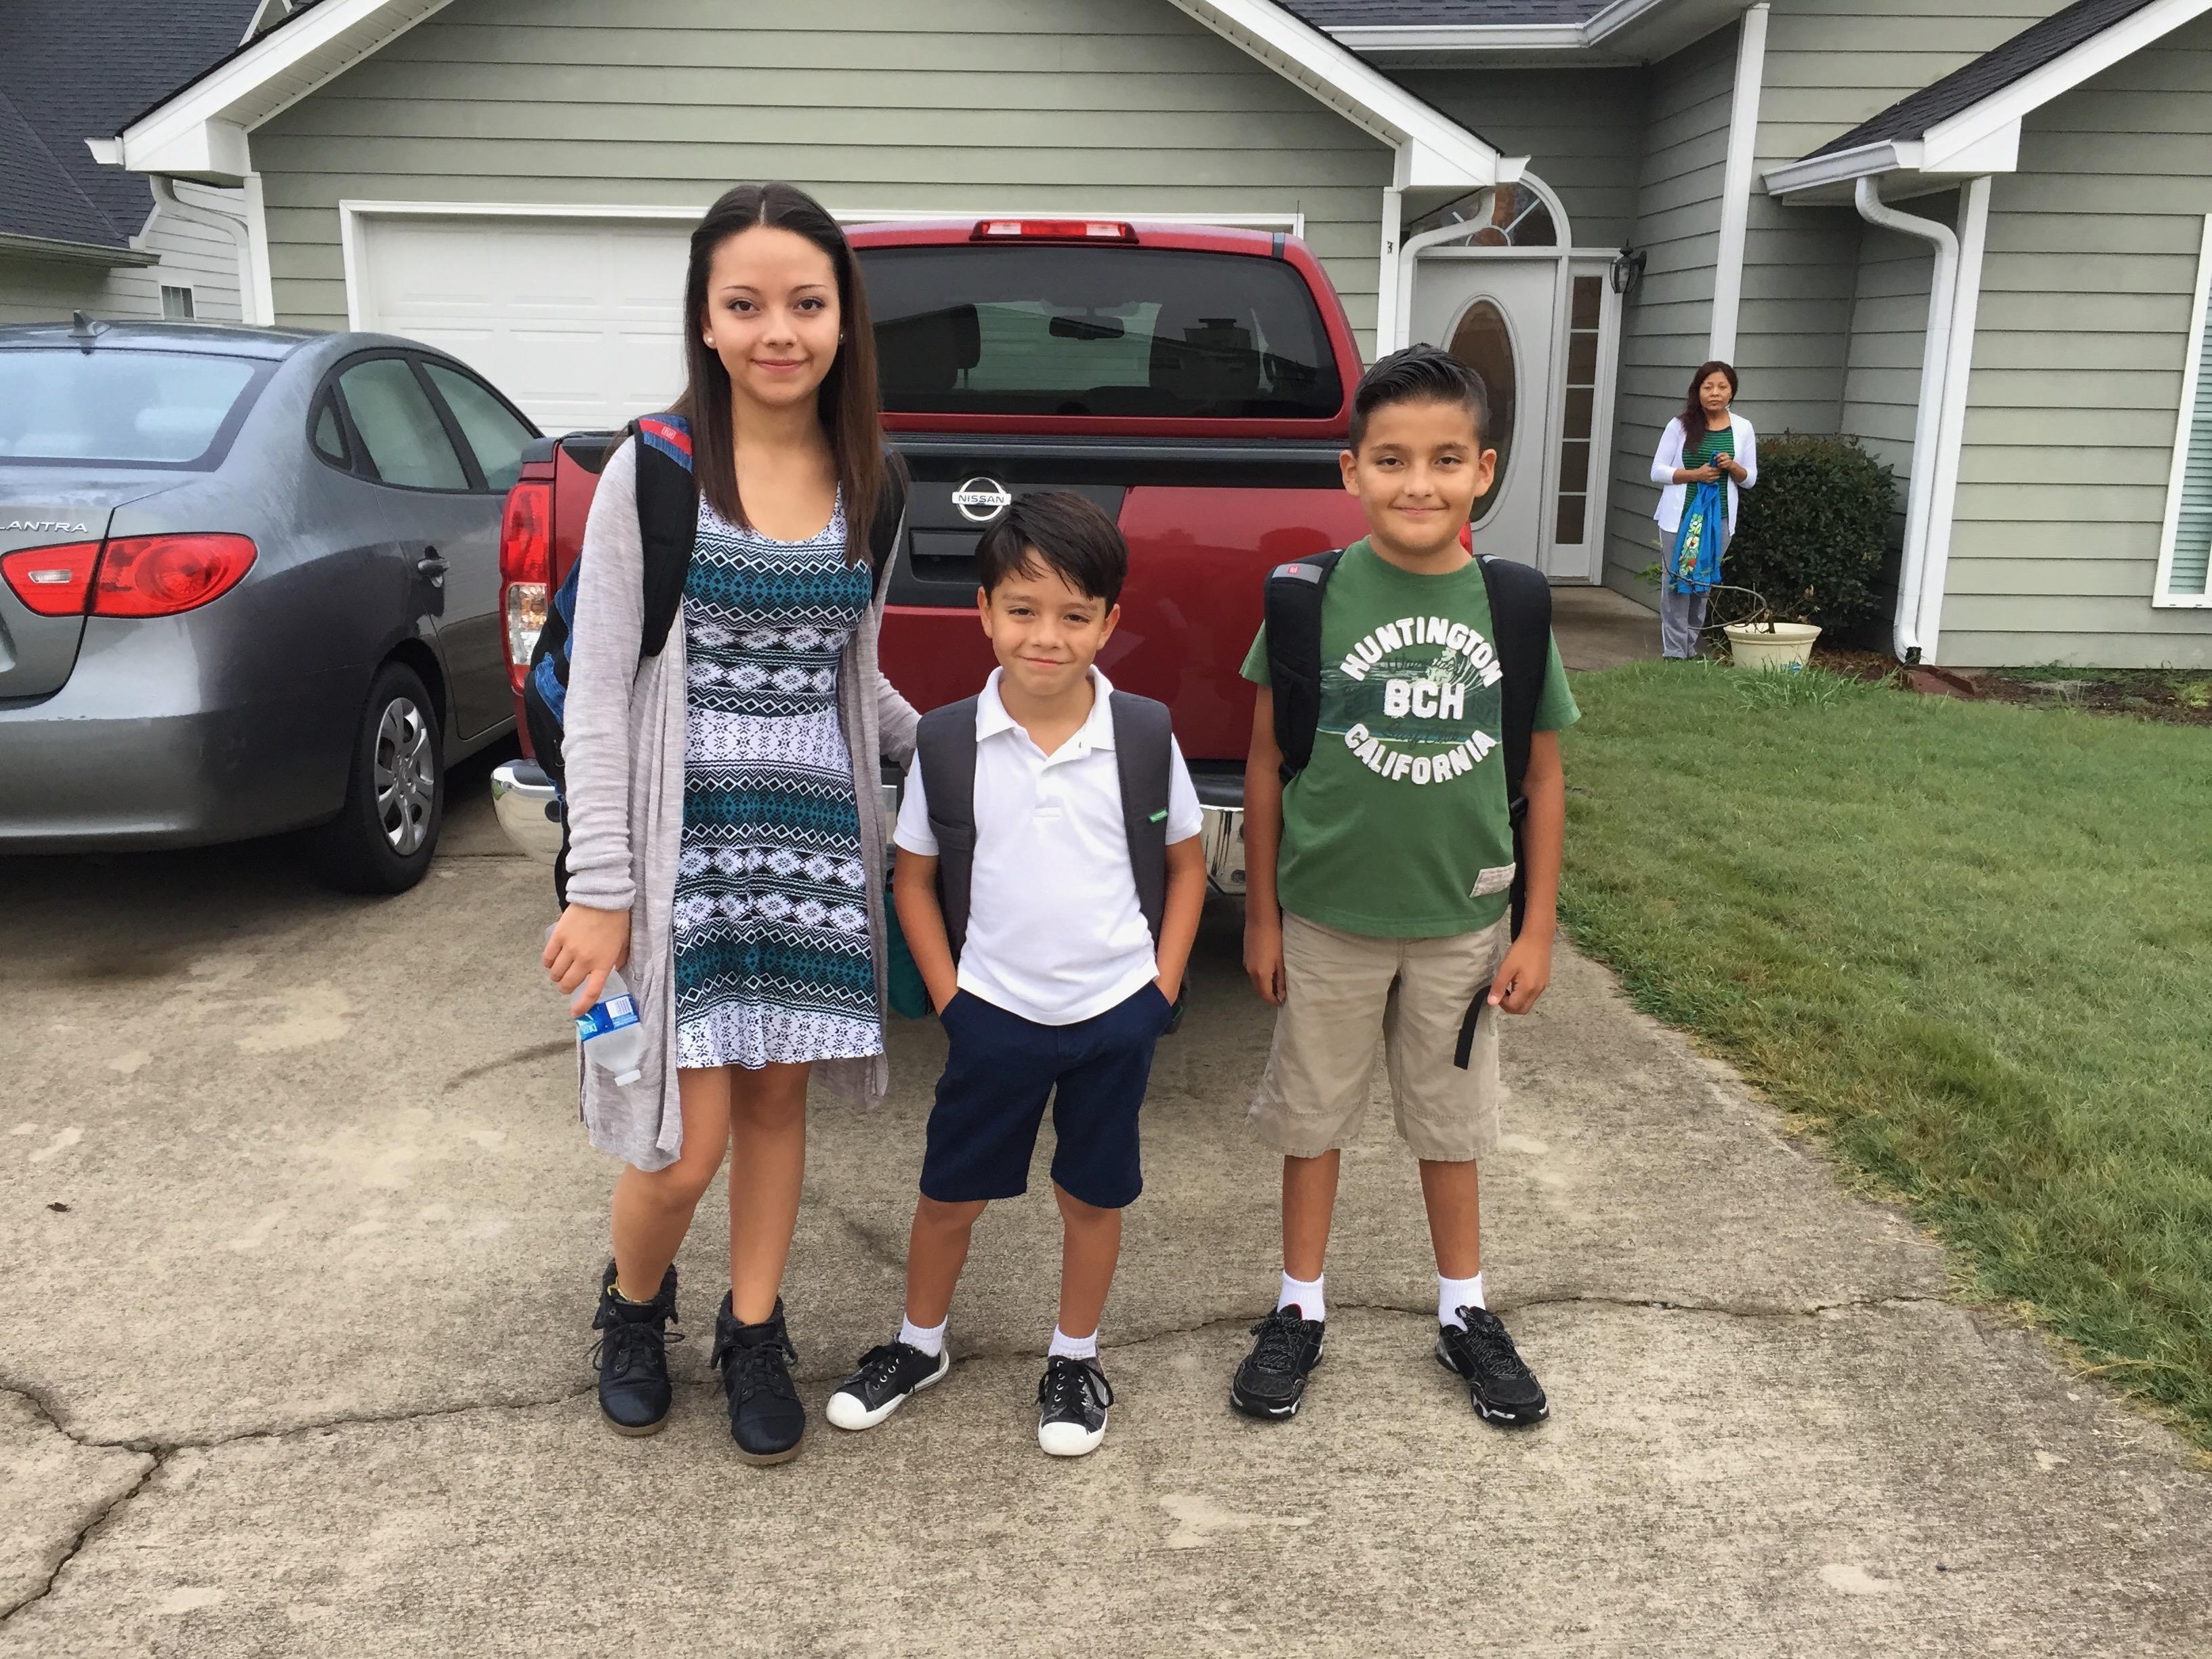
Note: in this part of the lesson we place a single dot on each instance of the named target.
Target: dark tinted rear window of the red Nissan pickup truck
(1089, 331)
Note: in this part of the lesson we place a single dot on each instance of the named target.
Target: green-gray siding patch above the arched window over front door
(1583, 132)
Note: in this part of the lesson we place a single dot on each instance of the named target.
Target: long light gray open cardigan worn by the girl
(623, 749)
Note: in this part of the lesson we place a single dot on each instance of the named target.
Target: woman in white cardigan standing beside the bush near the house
(1704, 459)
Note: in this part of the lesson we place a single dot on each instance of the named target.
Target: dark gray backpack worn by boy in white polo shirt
(1145, 758)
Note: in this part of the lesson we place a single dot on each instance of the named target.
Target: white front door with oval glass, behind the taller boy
(1499, 315)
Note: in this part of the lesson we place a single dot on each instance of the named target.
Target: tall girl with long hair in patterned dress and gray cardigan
(718, 842)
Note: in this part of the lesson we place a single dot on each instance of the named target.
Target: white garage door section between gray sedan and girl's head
(578, 322)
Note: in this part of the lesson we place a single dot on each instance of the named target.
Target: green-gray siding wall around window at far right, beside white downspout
(2076, 393)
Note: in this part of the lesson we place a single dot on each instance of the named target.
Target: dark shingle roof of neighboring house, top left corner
(76, 70)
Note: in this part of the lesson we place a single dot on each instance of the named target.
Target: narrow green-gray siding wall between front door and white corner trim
(1669, 322)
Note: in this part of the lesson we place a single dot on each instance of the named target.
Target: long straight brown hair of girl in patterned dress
(848, 401)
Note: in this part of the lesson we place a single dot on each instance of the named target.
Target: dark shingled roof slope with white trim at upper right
(1968, 125)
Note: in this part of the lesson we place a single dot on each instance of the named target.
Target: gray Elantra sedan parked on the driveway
(249, 583)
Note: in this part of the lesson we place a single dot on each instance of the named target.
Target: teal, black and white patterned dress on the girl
(771, 917)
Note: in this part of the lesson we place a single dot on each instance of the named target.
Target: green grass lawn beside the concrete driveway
(1972, 943)
